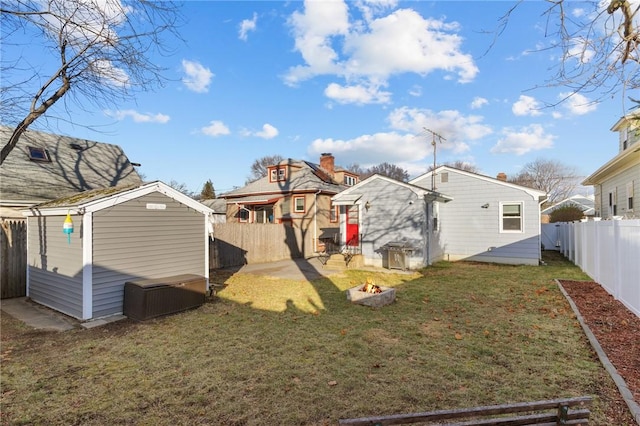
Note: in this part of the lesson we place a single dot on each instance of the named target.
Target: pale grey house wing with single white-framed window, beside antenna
(488, 220)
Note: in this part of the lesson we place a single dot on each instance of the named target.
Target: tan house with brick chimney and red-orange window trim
(296, 194)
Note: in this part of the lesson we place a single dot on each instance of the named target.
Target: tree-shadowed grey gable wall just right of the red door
(396, 214)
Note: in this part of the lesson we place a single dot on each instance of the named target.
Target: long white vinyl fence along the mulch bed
(607, 250)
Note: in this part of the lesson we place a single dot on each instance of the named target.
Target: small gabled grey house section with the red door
(388, 219)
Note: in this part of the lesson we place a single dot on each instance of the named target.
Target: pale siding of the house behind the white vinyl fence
(618, 184)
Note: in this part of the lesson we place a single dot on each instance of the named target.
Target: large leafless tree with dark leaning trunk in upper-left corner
(101, 50)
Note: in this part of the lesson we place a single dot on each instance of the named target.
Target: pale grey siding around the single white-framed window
(469, 231)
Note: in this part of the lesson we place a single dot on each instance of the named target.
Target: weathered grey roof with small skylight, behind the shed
(76, 165)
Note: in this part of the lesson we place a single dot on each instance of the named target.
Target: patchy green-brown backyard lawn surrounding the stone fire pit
(277, 352)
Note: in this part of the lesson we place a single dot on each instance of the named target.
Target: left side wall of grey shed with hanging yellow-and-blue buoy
(55, 265)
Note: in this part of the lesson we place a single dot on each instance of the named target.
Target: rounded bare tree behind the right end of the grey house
(558, 180)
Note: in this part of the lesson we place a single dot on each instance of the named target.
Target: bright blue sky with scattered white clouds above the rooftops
(359, 79)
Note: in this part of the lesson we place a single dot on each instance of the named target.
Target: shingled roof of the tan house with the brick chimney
(306, 177)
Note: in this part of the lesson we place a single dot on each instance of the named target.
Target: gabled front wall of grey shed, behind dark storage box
(132, 241)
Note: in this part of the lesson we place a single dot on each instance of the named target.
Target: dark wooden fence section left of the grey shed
(13, 255)
